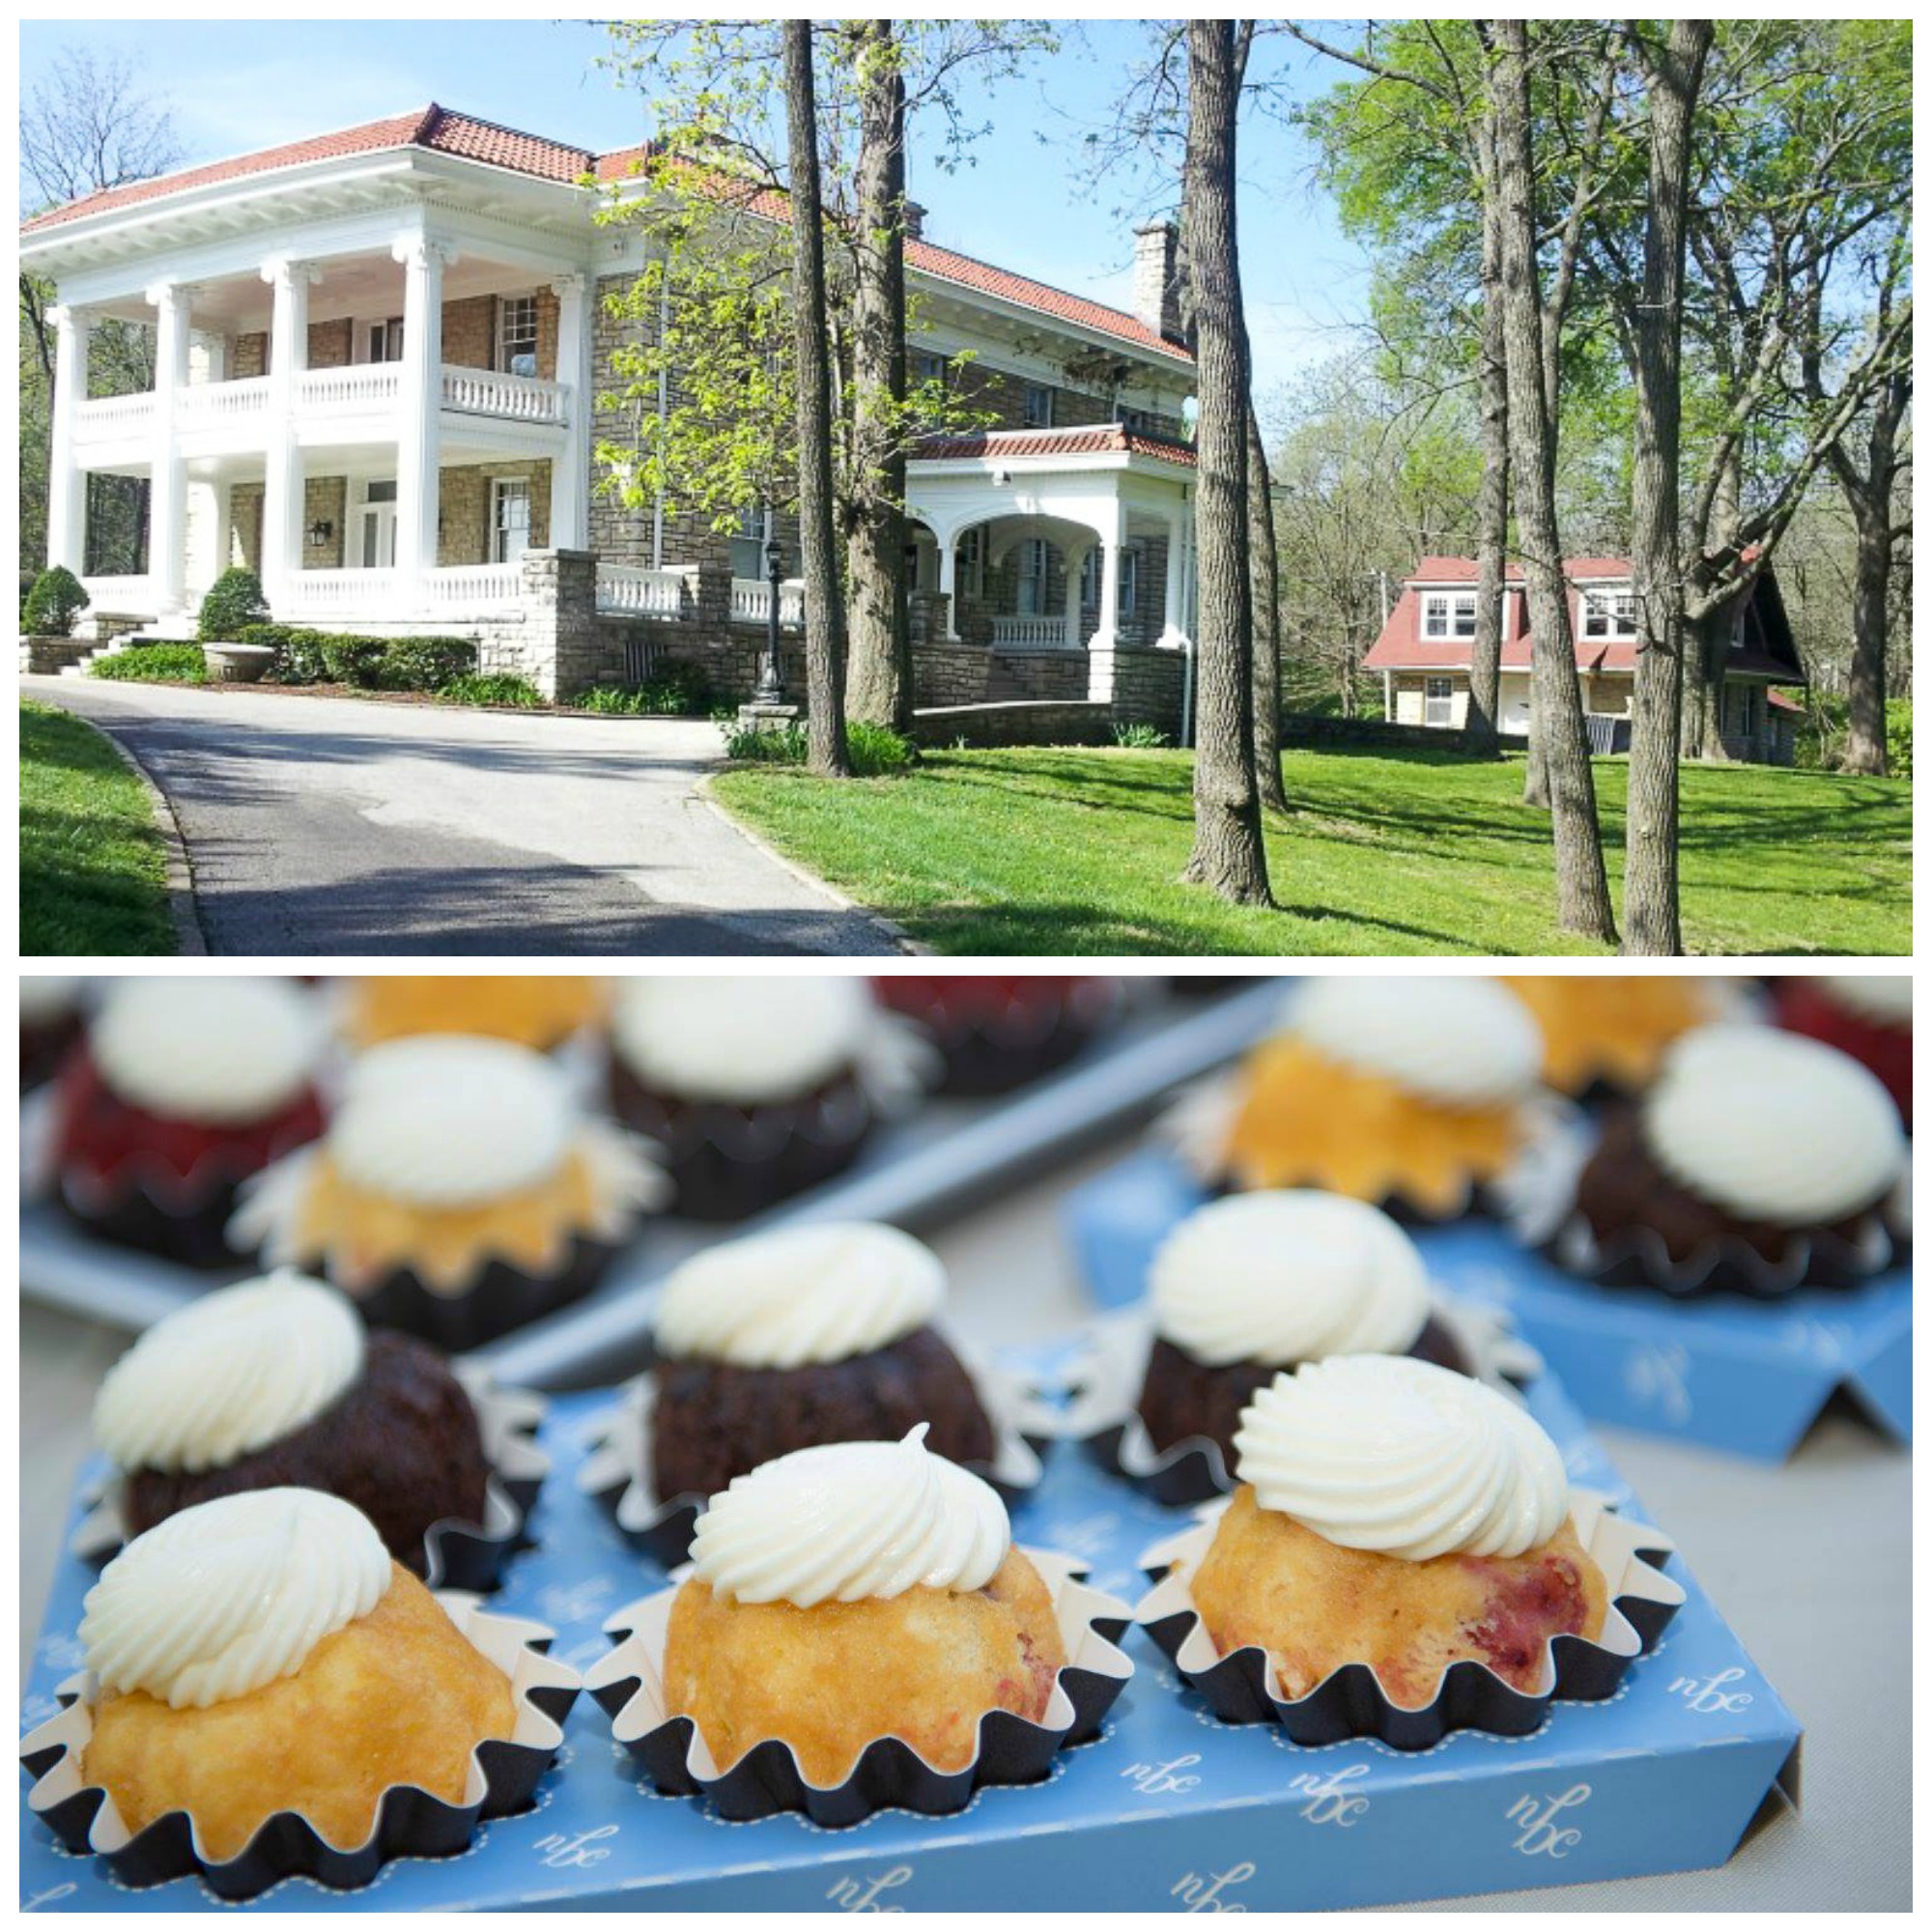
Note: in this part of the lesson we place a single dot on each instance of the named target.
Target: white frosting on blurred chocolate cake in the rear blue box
(1773, 1127)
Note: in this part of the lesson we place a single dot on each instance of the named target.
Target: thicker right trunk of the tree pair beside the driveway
(880, 673)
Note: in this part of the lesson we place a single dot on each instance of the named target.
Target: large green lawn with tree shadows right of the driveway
(1073, 851)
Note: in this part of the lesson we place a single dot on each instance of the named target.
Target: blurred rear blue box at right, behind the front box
(1730, 1373)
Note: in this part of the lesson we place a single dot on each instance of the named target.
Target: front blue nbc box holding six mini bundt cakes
(1166, 1811)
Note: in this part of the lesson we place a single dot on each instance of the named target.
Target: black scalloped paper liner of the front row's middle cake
(890, 1773)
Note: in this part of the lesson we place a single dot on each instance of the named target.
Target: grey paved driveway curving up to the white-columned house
(343, 826)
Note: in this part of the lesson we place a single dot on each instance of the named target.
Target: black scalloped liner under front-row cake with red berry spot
(1351, 1703)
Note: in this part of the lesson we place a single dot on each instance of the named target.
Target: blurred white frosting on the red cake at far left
(215, 1052)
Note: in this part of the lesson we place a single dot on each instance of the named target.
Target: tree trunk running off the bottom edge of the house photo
(1651, 911)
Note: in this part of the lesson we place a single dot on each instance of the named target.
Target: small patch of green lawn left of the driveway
(92, 874)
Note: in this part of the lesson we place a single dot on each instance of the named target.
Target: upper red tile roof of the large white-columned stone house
(445, 132)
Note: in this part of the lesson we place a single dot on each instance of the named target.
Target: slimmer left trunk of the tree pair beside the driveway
(826, 751)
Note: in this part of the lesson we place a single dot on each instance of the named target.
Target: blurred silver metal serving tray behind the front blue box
(919, 1172)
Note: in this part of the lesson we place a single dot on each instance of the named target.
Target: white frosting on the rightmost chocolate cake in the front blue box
(1288, 1276)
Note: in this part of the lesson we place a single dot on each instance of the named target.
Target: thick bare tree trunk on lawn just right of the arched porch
(1228, 810)
